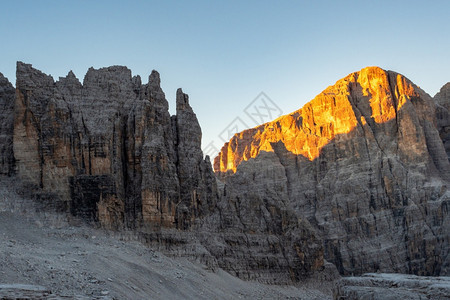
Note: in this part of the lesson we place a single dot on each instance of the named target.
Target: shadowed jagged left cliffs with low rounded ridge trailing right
(108, 151)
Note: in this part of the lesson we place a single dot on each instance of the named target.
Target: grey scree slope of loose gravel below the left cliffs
(49, 256)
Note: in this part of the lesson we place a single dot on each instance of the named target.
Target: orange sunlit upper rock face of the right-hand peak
(371, 95)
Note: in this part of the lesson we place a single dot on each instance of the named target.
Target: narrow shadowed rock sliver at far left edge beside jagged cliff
(6, 126)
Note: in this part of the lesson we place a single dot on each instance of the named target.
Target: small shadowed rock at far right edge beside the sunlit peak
(442, 100)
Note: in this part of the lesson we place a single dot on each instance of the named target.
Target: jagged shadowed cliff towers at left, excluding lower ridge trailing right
(108, 150)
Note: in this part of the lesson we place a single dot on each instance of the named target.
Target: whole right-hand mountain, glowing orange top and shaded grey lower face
(363, 162)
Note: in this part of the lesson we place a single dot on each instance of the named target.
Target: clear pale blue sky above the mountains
(241, 62)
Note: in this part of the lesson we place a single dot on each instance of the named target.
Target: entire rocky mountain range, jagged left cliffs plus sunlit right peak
(359, 176)
